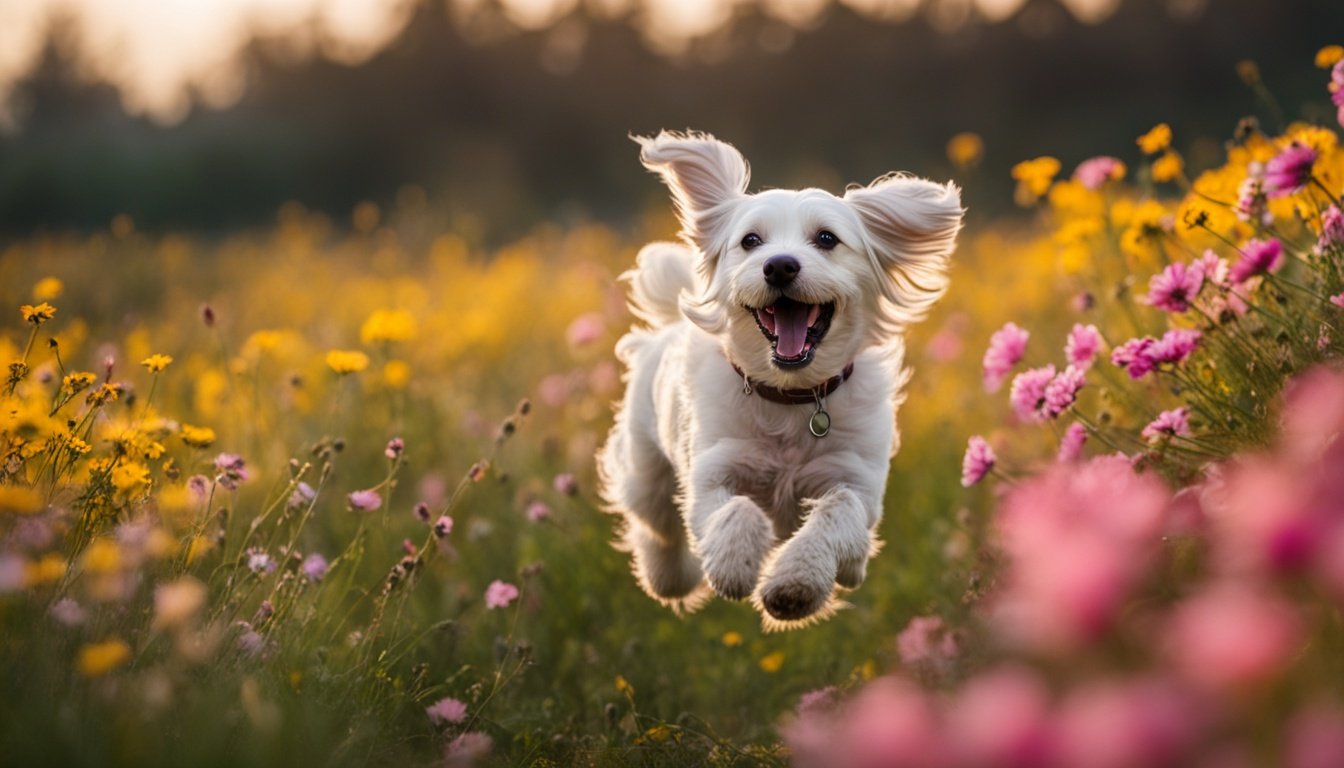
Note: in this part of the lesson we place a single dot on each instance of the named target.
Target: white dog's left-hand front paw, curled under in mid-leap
(736, 541)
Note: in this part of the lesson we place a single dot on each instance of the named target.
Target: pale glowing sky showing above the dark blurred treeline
(157, 50)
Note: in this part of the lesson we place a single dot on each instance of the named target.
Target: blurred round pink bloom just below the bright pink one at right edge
(1230, 636)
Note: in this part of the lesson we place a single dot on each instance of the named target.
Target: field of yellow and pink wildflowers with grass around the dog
(325, 494)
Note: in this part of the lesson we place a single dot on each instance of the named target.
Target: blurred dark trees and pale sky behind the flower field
(497, 115)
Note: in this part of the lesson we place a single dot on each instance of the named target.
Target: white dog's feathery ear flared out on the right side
(912, 228)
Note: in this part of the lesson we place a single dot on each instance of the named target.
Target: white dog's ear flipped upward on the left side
(704, 176)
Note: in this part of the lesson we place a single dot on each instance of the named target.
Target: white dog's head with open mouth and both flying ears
(798, 283)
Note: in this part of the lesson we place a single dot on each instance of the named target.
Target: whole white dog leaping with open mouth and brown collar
(752, 449)
